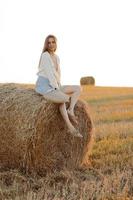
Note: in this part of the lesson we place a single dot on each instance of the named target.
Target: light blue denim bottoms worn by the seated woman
(43, 86)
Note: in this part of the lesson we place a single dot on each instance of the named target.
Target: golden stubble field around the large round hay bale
(110, 175)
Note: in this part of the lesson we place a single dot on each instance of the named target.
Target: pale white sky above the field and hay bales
(94, 38)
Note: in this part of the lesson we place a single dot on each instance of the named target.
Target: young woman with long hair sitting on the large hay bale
(48, 84)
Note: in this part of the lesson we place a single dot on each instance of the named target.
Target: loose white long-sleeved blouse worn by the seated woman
(47, 69)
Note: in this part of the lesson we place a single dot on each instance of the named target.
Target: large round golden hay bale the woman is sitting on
(33, 135)
